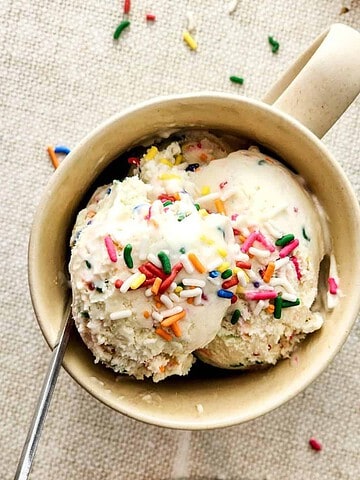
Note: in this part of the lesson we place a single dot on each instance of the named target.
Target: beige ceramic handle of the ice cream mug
(323, 81)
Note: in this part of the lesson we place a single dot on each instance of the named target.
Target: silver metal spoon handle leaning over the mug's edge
(37, 423)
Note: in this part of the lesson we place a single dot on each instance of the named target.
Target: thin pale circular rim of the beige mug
(70, 162)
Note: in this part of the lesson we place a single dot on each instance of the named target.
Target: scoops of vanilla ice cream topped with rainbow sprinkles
(201, 251)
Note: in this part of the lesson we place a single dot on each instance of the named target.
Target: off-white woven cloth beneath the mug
(61, 74)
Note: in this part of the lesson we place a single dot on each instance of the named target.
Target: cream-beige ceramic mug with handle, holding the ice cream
(296, 112)
